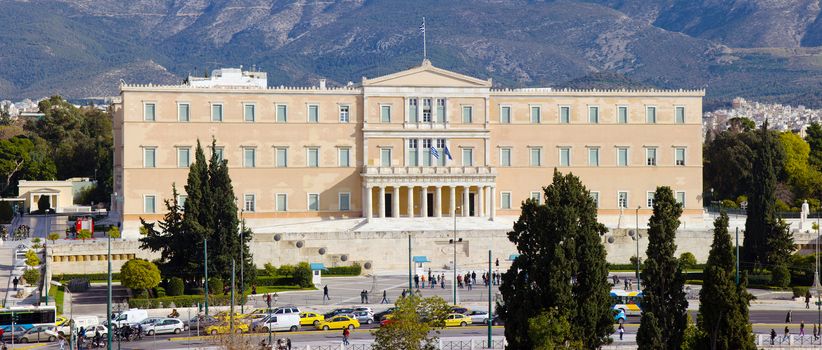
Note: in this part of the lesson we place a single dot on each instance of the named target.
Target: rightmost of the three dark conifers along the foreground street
(723, 306)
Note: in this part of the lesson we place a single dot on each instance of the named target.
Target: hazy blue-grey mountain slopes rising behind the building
(759, 49)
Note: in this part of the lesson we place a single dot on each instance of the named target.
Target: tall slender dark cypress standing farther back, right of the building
(761, 199)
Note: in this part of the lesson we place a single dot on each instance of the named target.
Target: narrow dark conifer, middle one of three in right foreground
(664, 305)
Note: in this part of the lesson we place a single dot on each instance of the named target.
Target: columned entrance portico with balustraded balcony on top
(393, 192)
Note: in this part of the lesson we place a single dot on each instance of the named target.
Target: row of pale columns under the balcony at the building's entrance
(484, 204)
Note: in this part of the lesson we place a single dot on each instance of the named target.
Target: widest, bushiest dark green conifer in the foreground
(558, 242)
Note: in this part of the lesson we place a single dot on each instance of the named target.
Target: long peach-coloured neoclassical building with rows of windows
(423, 142)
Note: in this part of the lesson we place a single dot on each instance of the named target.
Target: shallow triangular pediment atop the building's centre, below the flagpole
(426, 75)
